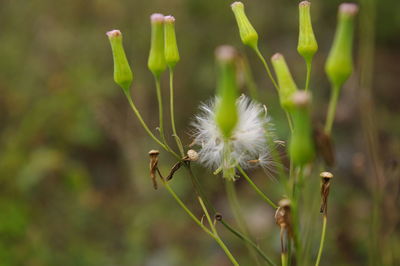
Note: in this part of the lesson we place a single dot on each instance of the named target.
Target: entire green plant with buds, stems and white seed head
(233, 133)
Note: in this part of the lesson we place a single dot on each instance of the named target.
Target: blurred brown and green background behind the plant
(74, 182)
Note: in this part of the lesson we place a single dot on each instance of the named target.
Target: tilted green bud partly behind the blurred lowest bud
(287, 86)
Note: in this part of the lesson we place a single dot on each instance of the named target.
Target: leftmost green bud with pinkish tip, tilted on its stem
(122, 71)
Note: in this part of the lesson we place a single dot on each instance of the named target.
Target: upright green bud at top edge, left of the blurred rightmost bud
(307, 45)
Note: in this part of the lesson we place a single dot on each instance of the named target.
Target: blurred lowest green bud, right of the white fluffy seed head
(301, 146)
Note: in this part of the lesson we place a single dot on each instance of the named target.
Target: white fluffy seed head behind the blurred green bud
(248, 145)
